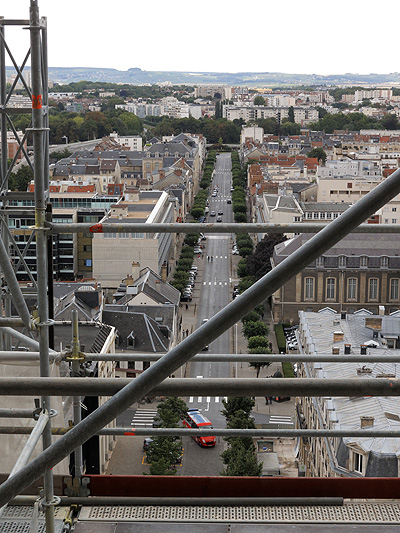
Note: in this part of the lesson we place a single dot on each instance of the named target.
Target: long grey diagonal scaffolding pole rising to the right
(222, 321)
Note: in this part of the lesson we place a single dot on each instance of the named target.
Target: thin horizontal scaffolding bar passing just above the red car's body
(368, 432)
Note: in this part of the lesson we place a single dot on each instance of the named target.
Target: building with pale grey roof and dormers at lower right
(330, 333)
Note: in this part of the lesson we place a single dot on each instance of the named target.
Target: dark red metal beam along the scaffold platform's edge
(179, 486)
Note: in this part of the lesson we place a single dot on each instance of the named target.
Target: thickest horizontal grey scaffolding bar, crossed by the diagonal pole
(305, 387)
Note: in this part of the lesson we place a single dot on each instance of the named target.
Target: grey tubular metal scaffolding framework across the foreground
(36, 327)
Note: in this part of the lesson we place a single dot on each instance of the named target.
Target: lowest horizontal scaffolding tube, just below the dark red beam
(181, 500)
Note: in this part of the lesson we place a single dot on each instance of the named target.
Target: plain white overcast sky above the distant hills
(308, 37)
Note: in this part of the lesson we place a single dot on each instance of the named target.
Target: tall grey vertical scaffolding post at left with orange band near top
(39, 139)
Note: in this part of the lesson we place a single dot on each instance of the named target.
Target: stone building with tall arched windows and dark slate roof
(361, 272)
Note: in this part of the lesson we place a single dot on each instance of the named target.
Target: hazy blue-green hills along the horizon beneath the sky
(137, 76)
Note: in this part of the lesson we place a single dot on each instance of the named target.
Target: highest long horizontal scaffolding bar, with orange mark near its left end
(228, 227)
